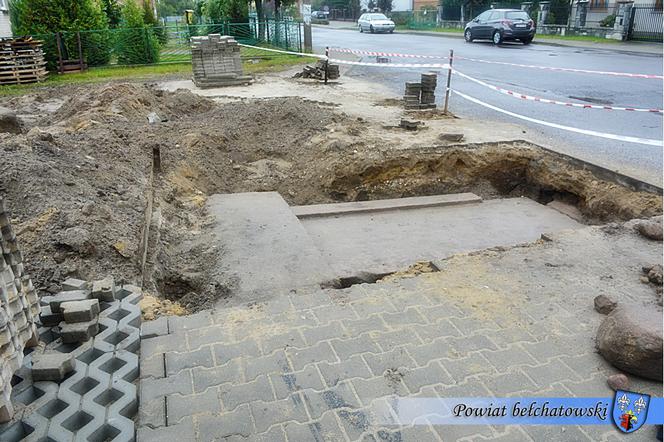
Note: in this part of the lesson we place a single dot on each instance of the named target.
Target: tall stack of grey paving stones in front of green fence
(216, 62)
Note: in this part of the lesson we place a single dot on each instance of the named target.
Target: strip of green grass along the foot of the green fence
(134, 73)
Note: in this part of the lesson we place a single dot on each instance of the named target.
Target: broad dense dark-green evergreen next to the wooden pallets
(34, 17)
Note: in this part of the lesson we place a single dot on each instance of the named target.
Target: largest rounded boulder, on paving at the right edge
(630, 338)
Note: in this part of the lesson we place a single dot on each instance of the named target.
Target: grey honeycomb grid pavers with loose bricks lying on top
(81, 390)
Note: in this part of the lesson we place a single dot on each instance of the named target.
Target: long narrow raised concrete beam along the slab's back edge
(418, 202)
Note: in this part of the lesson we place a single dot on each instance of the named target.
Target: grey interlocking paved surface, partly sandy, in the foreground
(303, 367)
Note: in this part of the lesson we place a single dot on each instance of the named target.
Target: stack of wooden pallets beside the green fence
(21, 61)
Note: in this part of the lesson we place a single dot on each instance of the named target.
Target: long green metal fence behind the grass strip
(76, 50)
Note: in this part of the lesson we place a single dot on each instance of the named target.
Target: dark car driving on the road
(501, 25)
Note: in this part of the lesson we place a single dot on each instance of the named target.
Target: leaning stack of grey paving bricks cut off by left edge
(19, 310)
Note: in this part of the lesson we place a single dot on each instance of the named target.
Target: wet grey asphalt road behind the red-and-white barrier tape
(637, 160)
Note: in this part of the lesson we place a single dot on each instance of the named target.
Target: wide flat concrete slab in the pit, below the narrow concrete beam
(392, 240)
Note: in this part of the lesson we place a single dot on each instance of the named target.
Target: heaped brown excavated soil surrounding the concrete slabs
(78, 179)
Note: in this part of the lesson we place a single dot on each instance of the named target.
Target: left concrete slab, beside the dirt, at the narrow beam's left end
(265, 246)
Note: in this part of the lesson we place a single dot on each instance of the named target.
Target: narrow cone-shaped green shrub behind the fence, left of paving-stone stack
(136, 42)
